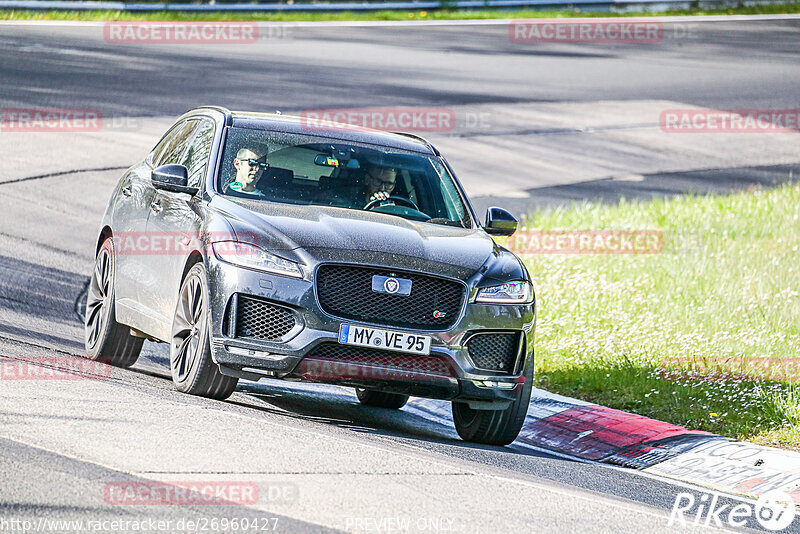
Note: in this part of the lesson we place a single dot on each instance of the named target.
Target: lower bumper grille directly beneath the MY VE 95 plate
(384, 359)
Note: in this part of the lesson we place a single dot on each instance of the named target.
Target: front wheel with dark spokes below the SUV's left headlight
(193, 370)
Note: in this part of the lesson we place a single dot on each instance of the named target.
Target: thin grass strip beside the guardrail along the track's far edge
(440, 14)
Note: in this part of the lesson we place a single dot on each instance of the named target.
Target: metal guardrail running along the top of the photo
(583, 5)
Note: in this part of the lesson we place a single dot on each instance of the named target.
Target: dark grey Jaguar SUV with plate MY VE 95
(262, 245)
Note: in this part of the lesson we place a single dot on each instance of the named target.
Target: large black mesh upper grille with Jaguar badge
(346, 292)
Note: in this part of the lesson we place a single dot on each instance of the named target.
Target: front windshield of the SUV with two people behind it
(313, 170)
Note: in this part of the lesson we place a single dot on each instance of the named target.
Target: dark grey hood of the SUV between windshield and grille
(322, 233)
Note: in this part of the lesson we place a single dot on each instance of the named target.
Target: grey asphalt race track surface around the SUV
(62, 441)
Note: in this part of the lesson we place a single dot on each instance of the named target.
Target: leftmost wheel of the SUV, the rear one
(105, 338)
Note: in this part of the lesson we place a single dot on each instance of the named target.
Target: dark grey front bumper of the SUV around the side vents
(293, 357)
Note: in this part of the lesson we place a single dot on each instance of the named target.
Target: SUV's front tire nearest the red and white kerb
(494, 427)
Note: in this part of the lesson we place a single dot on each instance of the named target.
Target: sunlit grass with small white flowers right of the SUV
(704, 334)
